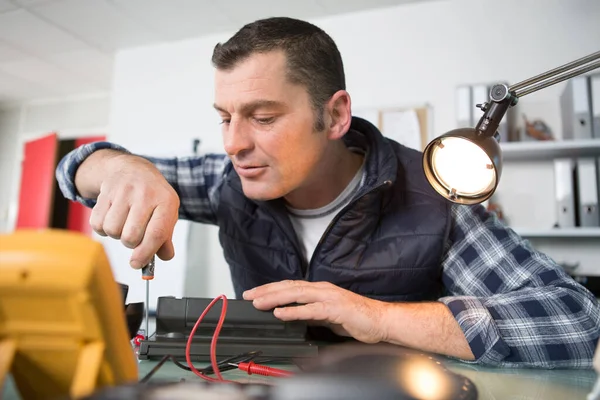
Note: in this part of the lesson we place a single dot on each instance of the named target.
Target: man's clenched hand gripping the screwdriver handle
(136, 205)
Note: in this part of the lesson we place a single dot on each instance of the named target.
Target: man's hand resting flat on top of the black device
(344, 312)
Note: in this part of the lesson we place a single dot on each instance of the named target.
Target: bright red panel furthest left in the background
(37, 183)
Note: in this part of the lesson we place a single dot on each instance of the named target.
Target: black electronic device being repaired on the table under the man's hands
(245, 329)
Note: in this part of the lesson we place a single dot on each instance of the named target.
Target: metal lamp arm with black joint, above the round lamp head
(503, 97)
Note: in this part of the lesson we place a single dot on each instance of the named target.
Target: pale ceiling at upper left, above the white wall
(61, 48)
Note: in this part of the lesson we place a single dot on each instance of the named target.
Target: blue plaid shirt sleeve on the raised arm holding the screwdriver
(195, 179)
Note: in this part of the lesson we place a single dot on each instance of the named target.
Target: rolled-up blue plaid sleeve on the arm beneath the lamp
(516, 306)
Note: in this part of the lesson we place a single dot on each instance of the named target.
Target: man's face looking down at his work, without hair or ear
(268, 128)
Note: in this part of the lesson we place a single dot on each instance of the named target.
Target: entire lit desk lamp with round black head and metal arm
(465, 164)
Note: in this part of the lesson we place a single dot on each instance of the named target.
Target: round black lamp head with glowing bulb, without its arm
(463, 166)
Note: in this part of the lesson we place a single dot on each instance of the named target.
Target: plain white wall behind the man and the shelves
(411, 54)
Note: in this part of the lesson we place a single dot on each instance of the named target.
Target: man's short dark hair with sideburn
(313, 59)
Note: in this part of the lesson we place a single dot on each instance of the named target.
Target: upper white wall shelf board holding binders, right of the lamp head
(548, 150)
